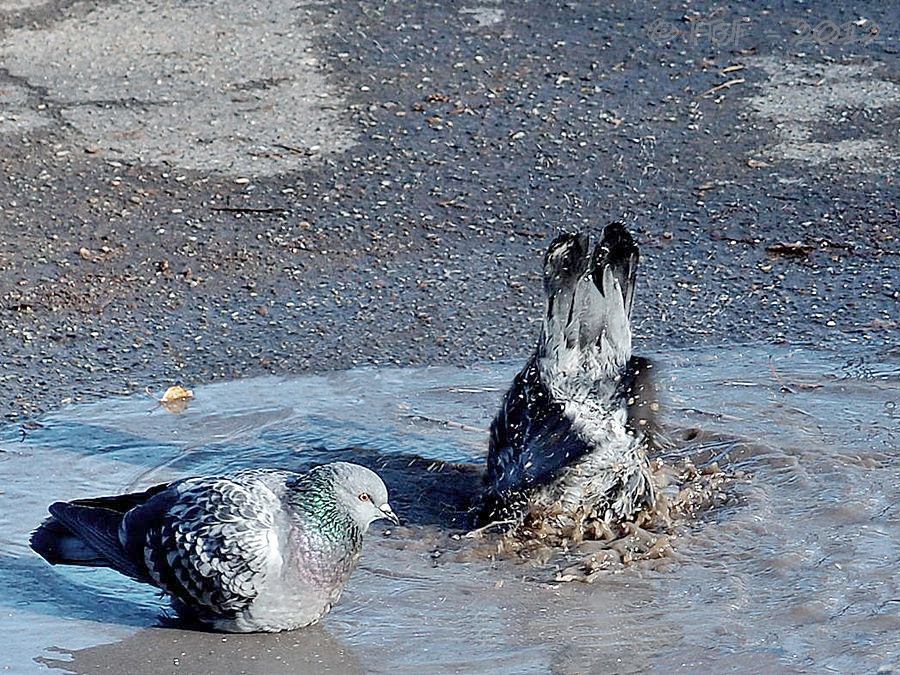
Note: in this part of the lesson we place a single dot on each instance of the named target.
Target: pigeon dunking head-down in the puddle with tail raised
(568, 439)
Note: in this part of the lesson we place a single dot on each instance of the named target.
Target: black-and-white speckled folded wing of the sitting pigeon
(209, 542)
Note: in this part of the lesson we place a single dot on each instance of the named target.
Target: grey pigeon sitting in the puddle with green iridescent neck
(257, 550)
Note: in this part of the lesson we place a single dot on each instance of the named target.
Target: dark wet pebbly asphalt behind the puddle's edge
(465, 137)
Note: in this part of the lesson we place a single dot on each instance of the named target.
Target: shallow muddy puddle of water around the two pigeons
(797, 572)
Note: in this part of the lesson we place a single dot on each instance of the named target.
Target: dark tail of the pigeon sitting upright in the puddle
(86, 532)
